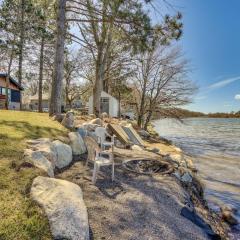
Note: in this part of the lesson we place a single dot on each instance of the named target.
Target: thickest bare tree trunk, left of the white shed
(56, 92)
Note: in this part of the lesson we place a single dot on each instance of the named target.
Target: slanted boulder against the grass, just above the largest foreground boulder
(39, 161)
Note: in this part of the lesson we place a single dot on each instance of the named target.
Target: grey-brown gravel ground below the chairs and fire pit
(133, 207)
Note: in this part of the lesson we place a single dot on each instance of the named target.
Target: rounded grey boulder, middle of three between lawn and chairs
(64, 154)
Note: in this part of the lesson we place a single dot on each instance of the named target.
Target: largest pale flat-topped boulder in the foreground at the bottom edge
(63, 204)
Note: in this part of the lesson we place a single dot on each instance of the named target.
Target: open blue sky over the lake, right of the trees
(211, 41)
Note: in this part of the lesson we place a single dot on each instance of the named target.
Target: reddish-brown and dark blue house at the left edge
(14, 90)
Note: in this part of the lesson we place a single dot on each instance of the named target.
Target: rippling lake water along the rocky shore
(214, 145)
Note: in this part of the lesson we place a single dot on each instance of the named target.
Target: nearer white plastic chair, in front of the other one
(96, 156)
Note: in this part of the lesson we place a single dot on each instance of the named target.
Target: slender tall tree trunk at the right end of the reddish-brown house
(21, 45)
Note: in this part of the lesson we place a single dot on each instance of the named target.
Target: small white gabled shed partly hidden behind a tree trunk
(109, 104)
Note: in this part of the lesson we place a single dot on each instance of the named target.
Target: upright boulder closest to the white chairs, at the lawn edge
(77, 143)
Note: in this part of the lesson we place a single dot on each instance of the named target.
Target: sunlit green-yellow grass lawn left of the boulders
(20, 218)
